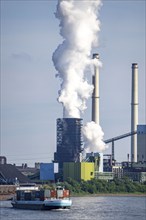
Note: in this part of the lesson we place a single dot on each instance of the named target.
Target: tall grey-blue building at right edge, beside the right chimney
(141, 143)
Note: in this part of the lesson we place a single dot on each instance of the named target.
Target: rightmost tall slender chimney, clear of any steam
(134, 111)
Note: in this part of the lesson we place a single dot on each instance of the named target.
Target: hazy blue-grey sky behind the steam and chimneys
(29, 88)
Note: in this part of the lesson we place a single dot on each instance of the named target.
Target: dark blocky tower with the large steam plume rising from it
(68, 140)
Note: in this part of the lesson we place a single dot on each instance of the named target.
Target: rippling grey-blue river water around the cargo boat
(84, 208)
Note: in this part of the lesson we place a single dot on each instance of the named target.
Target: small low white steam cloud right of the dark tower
(93, 137)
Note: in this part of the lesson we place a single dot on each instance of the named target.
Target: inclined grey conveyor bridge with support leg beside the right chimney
(112, 140)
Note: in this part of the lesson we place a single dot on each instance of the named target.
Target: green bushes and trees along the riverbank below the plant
(96, 186)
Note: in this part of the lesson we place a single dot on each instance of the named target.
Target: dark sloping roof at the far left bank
(9, 173)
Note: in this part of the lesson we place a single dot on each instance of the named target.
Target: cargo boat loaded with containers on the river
(31, 196)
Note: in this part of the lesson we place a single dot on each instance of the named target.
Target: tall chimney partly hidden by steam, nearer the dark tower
(95, 95)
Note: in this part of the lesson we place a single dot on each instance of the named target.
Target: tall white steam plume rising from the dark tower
(79, 26)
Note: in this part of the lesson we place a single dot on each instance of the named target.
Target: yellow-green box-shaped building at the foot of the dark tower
(78, 171)
